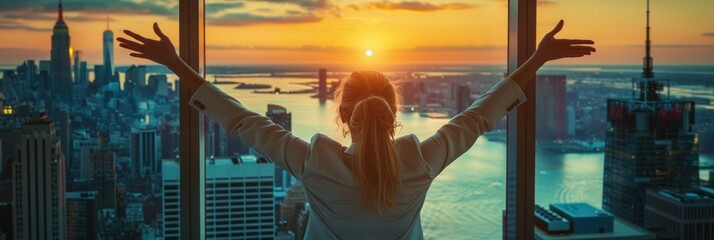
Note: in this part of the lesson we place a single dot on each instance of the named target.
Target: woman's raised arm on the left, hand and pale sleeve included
(256, 131)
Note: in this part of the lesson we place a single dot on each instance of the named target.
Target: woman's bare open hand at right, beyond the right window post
(551, 48)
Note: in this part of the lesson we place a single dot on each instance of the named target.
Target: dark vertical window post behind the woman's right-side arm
(520, 131)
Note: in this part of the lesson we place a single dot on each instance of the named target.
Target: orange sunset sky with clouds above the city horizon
(340, 31)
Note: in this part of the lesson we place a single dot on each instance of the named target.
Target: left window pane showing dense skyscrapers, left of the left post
(109, 125)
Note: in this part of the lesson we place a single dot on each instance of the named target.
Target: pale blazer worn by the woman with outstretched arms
(322, 164)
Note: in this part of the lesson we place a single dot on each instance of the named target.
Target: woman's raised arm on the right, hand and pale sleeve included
(458, 135)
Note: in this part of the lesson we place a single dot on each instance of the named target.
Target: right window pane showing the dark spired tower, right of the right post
(612, 125)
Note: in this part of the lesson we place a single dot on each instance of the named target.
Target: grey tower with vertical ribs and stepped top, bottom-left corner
(38, 182)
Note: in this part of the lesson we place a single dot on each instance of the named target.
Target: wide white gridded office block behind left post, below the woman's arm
(239, 199)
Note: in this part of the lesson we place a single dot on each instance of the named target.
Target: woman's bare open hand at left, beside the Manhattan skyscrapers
(161, 51)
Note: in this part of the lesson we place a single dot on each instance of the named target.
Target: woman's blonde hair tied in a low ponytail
(372, 101)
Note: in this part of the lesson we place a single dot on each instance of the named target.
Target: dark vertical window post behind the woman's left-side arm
(191, 152)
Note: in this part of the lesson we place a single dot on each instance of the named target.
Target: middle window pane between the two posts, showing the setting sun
(271, 56)
